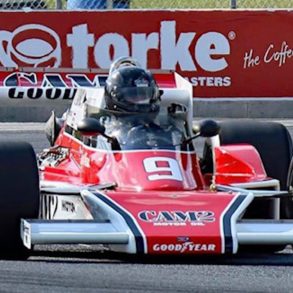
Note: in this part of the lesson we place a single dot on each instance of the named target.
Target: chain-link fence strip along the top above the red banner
(145, 4)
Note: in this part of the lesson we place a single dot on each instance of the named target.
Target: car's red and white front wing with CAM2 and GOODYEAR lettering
(168, 229)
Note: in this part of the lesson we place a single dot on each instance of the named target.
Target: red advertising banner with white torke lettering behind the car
(223, 53)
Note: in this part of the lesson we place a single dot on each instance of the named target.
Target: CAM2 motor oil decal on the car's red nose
(177, 218)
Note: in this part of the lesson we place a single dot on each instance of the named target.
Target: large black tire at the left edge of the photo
(19, 197)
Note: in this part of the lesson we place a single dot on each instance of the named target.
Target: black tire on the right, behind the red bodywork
(274, 144)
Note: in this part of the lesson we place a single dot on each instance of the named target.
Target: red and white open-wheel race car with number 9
(135, 182)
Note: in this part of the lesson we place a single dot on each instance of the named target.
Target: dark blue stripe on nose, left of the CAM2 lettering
(139, 241)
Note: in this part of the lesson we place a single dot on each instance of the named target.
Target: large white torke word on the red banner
(175, 48)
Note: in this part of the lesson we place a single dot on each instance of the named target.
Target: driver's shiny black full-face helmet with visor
(131, 89)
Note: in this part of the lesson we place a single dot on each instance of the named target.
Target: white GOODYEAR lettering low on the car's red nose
(184, 247)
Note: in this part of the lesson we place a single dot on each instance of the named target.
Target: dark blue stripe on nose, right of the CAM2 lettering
(227, 223)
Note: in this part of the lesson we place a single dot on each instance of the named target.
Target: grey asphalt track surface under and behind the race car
(88, 269)
